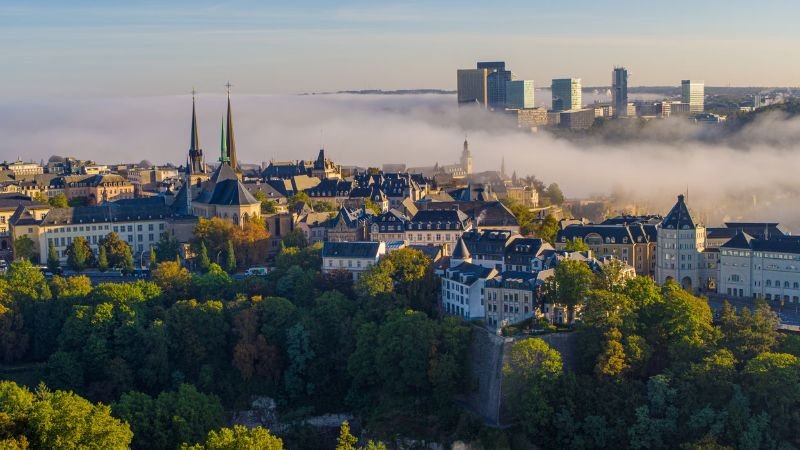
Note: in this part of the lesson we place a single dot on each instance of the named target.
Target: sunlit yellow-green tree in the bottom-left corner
(58, 419)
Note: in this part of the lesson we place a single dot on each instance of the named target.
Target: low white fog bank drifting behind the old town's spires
(750, 175)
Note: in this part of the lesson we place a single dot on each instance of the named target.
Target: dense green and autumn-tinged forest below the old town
(163, 363)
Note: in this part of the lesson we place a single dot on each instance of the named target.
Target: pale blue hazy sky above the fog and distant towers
(85, 48)
